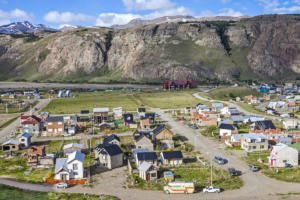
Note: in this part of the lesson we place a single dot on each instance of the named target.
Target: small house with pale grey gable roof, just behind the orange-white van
(147, 172)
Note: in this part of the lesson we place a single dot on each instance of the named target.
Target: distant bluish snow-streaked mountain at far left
(24, 27)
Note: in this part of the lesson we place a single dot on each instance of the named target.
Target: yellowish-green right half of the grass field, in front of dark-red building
(168, 99)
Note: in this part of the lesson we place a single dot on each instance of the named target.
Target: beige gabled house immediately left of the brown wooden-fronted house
(143, 140)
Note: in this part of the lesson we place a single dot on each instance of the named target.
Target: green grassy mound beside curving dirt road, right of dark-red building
(227, 93)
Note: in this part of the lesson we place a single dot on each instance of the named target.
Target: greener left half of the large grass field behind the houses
(88, 101)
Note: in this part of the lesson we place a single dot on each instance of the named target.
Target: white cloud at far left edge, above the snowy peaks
(14, 15)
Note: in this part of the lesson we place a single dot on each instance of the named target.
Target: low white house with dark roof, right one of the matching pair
(171, 158)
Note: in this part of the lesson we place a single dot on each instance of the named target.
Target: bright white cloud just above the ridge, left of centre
(109, 19)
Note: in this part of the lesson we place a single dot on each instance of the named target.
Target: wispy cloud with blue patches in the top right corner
(274, 6)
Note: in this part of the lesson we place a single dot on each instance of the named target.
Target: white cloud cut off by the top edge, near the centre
(148, 4)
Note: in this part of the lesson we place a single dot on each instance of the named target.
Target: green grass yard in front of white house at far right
(283, 174)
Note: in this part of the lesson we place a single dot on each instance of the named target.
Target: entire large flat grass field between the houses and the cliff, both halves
(125, 99)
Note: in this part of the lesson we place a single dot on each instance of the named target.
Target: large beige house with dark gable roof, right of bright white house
(109, 156)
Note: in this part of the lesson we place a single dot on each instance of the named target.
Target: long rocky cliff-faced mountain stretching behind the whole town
(258, 48)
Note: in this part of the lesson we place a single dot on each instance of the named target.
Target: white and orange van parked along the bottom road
(179, 187)
